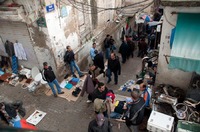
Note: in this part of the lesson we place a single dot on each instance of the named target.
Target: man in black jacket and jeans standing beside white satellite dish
(49, 76)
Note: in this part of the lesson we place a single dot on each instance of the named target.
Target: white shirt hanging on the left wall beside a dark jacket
(19, 51)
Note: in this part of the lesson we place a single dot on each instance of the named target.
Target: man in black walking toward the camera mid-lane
(113, 67)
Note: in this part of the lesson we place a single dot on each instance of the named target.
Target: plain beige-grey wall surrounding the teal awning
(174, 77)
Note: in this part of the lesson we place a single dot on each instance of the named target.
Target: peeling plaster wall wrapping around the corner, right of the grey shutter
(77, 29)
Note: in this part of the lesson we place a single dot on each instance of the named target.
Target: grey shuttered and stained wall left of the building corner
(29, 34)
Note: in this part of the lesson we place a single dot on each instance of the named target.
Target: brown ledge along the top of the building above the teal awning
(185, 3)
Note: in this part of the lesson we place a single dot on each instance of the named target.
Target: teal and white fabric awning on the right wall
(185, 53)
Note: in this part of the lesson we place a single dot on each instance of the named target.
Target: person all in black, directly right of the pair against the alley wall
(123, 50)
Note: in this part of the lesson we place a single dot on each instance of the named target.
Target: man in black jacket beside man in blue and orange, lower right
(136, 111)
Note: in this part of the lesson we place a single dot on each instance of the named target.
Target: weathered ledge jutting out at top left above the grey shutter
(12, 13)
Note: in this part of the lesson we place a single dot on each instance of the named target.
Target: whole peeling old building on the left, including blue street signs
(46, 27)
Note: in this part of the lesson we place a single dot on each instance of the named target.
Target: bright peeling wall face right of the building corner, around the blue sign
(77, 29)
